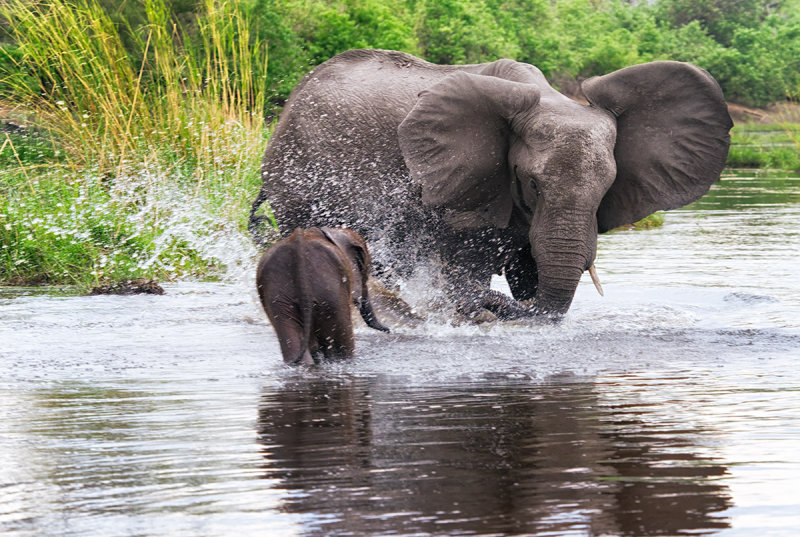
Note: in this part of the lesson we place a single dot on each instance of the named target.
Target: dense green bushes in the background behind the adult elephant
(751, 46)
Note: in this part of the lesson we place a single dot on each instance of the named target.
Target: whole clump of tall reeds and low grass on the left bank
(131, 169)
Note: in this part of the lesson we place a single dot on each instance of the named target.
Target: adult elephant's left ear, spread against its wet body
(455, 143)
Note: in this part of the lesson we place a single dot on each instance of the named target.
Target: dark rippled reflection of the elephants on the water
(508, 459)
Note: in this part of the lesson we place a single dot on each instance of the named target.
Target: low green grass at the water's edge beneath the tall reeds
(72, 229)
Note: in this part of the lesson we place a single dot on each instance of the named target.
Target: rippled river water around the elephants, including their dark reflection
(671, 406)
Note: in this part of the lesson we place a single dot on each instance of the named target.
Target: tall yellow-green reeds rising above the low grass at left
(185, 100)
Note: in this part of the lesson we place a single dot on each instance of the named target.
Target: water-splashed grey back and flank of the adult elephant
(334, 158)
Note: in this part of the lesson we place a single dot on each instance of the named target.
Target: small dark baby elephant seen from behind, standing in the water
(306, 283)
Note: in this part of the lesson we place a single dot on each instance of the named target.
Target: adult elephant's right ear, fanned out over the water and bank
(672, 137)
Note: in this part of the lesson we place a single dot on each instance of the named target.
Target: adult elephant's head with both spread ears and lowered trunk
(499, 145)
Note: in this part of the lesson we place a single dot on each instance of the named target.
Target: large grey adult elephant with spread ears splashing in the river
(487, 168)
